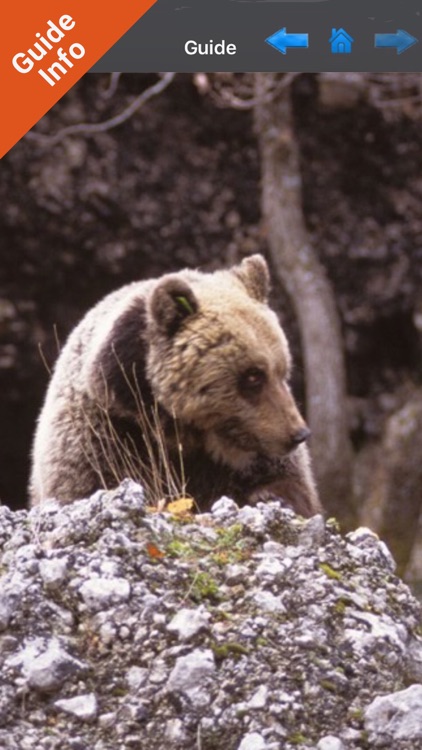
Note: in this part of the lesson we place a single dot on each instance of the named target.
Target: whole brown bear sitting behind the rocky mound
(201, 356)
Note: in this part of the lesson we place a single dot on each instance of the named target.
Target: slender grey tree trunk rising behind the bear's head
(298, 269)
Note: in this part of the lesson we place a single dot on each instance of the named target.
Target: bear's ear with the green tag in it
(171, 303)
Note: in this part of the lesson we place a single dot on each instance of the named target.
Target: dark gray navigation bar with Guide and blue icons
(271, 35)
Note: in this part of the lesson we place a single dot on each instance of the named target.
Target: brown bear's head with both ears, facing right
(219, 361)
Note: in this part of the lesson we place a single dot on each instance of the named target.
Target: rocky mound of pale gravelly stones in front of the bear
(242, 629)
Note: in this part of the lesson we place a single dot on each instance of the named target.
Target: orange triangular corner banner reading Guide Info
(46, 47)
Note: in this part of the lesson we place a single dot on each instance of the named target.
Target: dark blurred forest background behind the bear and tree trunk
(179, 183)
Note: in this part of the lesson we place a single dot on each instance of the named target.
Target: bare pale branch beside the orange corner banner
(85, 128)
